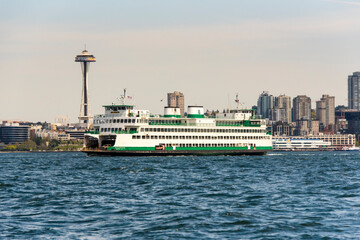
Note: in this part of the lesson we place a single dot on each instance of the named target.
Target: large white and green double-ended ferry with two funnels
(124, 130)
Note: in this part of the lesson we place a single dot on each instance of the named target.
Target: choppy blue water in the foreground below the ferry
(299, 195)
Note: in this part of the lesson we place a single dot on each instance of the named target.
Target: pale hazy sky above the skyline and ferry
(210, 50)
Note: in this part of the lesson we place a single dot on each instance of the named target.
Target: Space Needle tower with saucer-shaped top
(85, 59)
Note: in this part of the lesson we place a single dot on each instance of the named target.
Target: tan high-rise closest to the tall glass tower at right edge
(325, 111)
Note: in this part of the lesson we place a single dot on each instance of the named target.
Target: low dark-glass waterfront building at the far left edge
(14, 132)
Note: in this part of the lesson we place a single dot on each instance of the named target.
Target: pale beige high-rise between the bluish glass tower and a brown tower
(282, 109)
